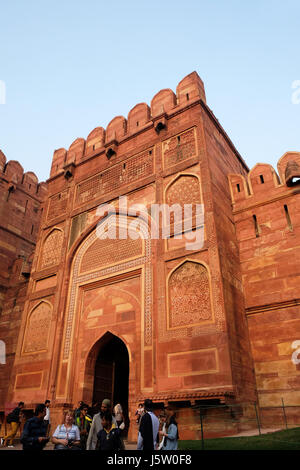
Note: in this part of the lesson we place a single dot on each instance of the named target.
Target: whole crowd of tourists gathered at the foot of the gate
(158, 428)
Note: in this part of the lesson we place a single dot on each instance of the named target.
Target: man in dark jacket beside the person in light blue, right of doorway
(149, 426)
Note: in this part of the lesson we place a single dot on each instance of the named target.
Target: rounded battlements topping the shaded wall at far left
(13, 173)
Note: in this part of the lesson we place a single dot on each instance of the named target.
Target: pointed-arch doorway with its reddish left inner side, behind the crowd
(107, 371)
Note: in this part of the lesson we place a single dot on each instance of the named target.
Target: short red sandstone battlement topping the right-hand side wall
(263, 183)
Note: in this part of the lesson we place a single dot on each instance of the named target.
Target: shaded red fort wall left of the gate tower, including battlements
(21, 196)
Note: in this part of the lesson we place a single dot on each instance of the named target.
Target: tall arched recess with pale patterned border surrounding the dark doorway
(110, 289)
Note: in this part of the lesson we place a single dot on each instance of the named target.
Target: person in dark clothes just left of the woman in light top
(34, 433)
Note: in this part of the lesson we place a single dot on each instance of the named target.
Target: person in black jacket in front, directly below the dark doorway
(109, 436)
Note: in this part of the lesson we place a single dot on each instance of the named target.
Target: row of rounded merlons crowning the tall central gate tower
(139, 118)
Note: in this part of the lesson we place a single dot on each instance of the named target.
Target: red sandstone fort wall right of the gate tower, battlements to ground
(266, 209)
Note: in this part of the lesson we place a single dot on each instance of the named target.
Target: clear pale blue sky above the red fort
(70, 66)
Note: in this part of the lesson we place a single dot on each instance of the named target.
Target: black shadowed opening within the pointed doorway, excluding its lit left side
(112, 373)
